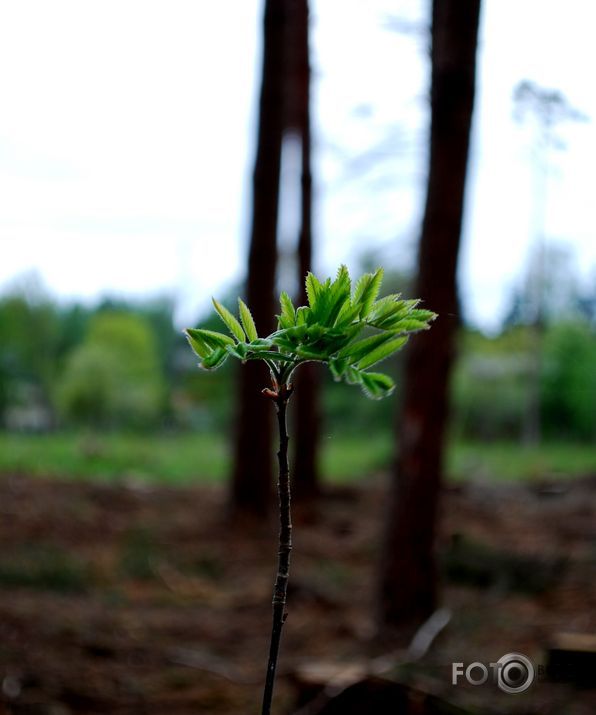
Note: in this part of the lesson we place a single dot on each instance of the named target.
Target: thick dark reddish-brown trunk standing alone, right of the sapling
(408, 584)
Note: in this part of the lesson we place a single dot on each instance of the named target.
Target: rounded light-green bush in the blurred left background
(113, 377)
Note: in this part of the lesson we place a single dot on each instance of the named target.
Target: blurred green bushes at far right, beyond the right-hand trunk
(492, 380)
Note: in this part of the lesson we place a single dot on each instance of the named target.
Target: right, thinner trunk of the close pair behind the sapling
(306, 403)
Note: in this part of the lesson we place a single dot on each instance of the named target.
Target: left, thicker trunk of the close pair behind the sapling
(252, 473)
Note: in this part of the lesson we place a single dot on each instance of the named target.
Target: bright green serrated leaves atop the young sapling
(327, 330)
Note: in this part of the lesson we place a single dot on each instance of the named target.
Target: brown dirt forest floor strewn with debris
(135, 599)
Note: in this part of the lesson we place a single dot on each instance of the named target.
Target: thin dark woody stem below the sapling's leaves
(285, 545)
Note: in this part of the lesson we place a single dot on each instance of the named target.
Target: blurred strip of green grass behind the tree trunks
(205, 457)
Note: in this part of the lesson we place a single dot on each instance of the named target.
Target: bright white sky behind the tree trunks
(127, 128)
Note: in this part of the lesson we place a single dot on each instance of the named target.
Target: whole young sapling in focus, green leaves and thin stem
(328, 330)
